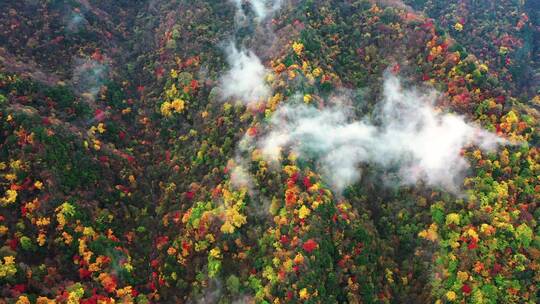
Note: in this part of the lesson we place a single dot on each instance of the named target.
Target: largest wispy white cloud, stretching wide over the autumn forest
(407, 131)
